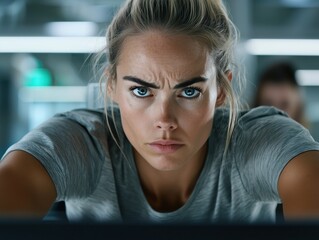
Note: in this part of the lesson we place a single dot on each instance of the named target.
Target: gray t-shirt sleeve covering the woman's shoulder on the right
(266, 140)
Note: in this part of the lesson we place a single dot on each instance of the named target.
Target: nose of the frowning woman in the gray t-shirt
(166, 117)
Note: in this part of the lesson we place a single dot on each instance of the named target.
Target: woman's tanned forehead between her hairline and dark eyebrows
(160, 51)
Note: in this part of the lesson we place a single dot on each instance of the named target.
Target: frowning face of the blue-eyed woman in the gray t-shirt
(166, 91)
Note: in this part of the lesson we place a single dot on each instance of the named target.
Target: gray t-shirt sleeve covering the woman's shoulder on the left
(70, 152)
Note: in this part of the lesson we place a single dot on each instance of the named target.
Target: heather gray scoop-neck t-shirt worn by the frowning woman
(98, 181)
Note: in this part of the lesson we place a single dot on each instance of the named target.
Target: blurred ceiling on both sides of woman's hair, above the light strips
(267, 18)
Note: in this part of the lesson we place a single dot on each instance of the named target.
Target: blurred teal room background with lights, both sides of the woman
(45, 45)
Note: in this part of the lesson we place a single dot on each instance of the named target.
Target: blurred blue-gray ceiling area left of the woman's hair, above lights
(30, 17)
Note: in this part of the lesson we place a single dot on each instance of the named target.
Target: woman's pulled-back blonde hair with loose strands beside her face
(205, 20)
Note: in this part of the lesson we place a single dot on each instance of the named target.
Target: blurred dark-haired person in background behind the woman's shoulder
(278, 87)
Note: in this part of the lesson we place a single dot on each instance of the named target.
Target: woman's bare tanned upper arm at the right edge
(299, 187)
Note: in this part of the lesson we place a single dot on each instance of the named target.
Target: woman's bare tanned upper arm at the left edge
(26, 189)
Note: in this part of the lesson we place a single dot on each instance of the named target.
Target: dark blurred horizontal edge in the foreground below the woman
(62, 230)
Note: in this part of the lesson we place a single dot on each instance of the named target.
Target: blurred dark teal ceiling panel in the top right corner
(285, 19)
